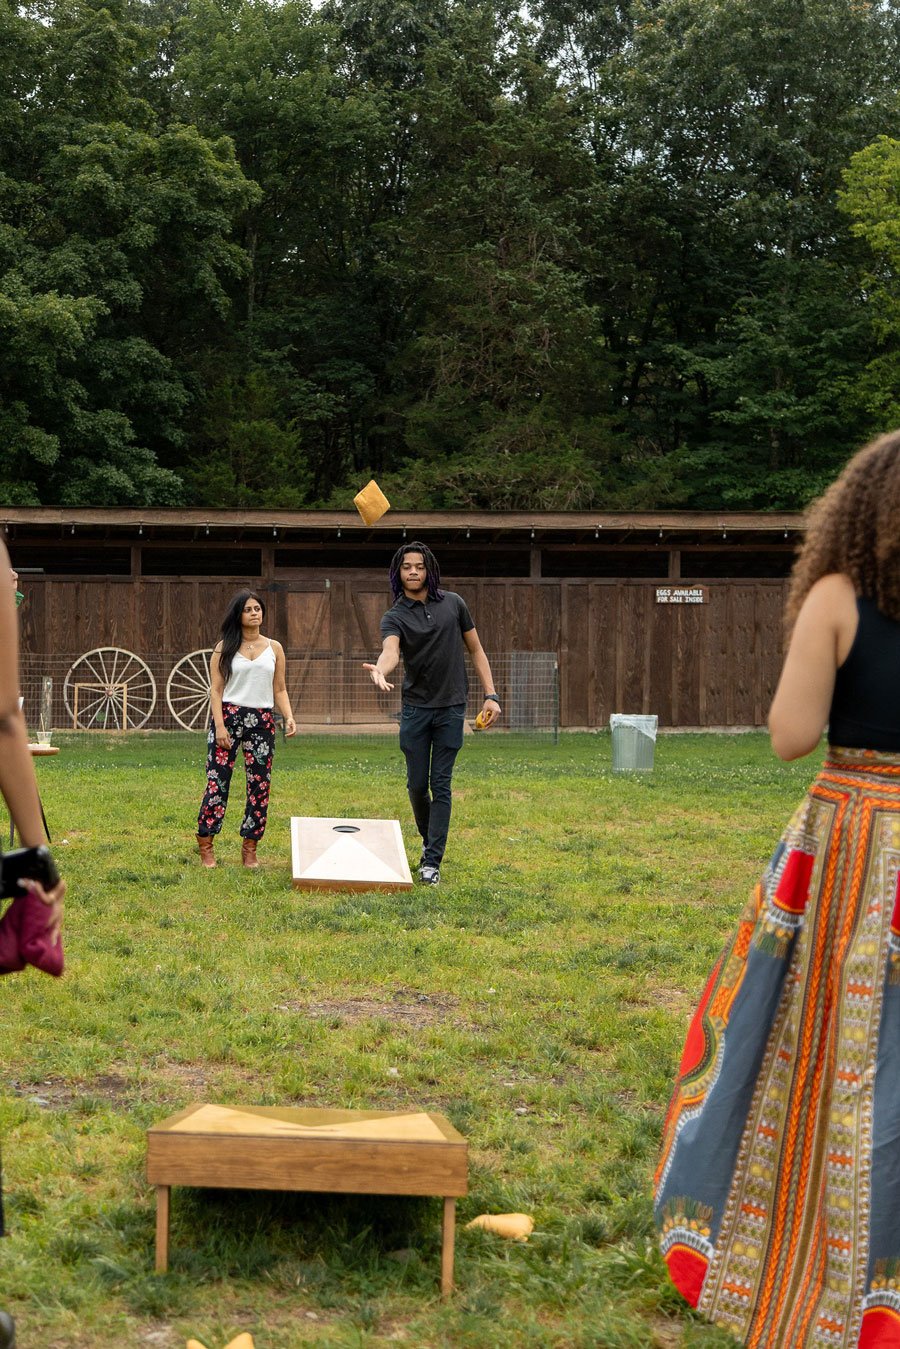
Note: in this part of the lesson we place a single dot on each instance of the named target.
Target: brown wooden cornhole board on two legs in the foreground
(292, 1149)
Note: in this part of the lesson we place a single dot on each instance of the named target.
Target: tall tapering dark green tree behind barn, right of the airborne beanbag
(503, 386)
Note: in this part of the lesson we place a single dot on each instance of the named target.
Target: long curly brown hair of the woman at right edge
(855, 529)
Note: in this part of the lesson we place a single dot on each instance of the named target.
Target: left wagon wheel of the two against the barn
(110, 690)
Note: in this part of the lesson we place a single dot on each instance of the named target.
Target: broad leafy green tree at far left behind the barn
(114, 242)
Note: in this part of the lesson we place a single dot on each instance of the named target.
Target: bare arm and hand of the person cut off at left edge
(18, 783)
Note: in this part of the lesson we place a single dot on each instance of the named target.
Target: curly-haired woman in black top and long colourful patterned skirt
(778, 1193)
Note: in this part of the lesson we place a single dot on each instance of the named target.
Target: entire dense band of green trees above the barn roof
(632, 253)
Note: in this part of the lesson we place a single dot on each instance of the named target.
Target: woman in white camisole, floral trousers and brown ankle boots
(248, 682)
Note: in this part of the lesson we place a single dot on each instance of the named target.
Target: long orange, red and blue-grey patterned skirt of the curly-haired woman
(778, 1193)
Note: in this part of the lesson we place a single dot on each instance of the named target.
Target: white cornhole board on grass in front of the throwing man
(334, 855)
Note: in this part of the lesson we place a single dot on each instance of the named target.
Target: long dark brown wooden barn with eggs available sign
(677, 614)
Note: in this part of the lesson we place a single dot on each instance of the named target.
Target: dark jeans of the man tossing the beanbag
(431, 739)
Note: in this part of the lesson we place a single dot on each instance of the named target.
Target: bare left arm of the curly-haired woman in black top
(821, 641)
